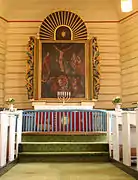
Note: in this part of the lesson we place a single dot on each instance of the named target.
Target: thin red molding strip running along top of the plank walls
(87, 22)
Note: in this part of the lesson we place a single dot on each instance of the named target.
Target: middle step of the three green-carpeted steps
(63, 147)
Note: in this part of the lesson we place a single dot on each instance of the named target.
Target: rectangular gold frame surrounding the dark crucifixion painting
(38, 71)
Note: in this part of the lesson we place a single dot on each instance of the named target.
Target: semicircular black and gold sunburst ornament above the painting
(63, 18)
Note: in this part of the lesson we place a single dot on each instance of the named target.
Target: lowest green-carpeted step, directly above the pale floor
(63, 157)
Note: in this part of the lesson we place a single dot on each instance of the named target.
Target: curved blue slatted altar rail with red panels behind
(64, 121)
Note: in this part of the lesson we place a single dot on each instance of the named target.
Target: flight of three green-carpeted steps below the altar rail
(64, 148)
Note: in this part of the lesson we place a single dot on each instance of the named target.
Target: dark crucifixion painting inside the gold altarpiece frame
(62, 68)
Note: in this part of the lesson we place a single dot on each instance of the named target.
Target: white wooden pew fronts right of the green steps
(121, 132)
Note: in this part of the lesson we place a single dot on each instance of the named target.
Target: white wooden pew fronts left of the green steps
(7, 135)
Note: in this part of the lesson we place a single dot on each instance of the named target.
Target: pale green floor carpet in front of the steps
(65, 171)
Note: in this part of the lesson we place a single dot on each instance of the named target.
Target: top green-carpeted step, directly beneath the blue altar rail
(64, 137)
